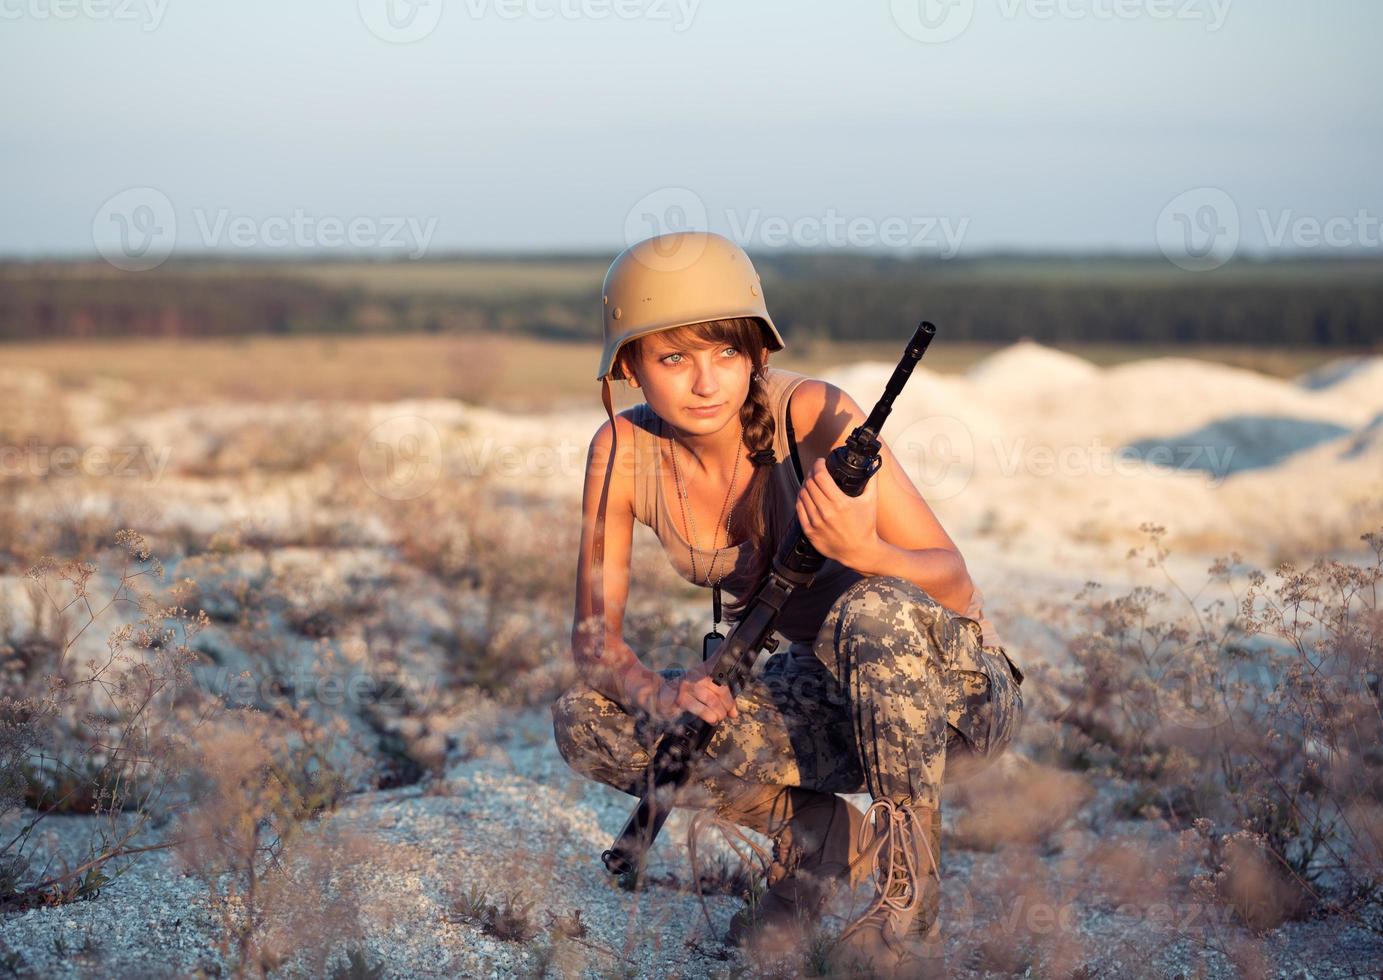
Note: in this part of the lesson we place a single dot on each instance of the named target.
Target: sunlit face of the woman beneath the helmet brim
(683, 375)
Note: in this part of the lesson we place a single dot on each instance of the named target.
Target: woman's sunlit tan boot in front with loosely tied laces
(898, 935)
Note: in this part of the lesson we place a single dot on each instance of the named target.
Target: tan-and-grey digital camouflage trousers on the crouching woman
(895, 692)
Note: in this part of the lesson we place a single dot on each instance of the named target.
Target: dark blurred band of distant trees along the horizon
(811, 296)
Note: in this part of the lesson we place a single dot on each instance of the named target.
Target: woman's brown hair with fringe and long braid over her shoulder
(760, 522)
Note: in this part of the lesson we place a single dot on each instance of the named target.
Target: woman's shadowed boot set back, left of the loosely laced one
(814, 849)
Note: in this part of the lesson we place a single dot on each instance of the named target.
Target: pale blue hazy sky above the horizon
(505, 129)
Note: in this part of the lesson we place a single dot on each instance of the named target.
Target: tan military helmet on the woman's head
(676, 280)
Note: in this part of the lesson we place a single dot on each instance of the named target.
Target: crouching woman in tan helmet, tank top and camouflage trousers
(893, 668)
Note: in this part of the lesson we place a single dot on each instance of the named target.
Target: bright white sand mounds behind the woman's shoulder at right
(1008, 451)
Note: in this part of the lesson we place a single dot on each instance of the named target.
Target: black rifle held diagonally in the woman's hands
(795, 567)
